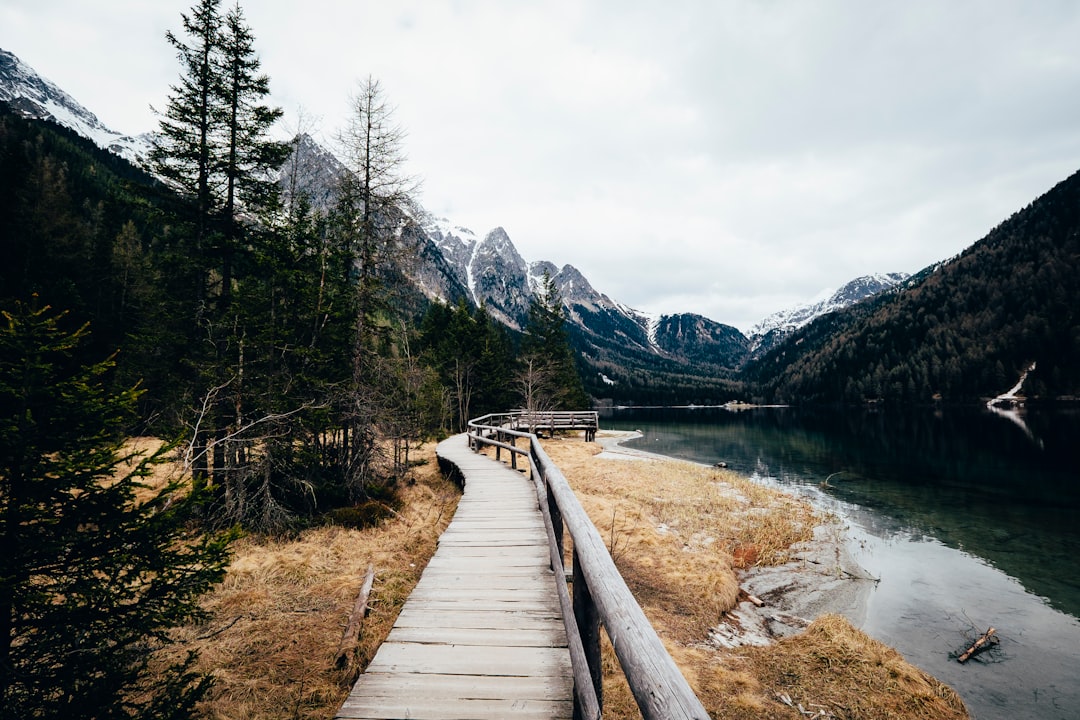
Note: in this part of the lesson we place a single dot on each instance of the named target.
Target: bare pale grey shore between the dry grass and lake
(821, 578)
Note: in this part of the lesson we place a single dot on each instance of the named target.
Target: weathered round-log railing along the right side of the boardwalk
(601, 596)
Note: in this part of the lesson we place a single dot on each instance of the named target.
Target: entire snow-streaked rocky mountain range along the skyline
(451, 262)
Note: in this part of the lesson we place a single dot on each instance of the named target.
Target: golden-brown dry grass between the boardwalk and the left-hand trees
(278, 618)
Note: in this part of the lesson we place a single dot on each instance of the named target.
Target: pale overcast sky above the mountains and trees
(727, 158)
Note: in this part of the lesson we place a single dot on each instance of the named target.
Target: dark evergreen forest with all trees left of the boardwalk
(271, 339)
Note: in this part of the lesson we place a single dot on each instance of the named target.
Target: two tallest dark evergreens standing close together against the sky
(215, 148)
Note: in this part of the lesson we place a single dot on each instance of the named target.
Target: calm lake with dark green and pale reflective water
(970, 519)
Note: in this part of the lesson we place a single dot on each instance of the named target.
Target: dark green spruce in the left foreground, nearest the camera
(91, 580)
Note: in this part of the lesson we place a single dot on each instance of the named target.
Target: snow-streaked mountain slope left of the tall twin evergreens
(36, 98)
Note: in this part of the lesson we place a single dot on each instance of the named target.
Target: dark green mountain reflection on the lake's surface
(968, 478)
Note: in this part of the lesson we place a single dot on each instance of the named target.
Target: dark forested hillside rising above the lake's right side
(962, 331)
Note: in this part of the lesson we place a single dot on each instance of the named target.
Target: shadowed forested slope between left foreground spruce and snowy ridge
(88, 233)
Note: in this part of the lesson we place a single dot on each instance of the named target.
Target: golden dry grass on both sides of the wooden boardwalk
(679, 533)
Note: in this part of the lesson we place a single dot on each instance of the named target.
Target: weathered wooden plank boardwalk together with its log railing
(491, 631)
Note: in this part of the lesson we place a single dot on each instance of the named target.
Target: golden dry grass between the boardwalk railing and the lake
(679, 534)
